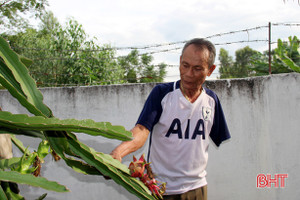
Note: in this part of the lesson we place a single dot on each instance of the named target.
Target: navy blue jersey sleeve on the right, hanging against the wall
(219, 131)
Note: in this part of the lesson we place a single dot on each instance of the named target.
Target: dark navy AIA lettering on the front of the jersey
(175, 128)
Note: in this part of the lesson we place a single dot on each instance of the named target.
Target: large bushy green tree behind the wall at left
(63, 55)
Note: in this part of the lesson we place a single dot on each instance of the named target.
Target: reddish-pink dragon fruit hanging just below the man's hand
(137, 169)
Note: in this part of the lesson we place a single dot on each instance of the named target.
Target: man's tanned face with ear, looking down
(194, 67)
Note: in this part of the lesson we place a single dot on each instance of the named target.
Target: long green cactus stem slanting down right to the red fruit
(101, 164)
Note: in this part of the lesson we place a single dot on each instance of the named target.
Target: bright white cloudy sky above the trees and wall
(143, 22)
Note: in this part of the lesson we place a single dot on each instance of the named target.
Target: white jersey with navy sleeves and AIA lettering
(179, 135)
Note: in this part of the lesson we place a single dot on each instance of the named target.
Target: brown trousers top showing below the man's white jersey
(197, 194)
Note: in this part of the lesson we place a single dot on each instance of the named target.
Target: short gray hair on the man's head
(201, 44)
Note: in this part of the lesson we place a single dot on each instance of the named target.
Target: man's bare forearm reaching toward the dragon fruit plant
(140, 135)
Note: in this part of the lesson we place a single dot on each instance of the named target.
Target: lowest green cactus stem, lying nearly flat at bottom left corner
(32, 180)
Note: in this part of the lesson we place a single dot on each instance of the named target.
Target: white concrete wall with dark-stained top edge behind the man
(262, 115)
